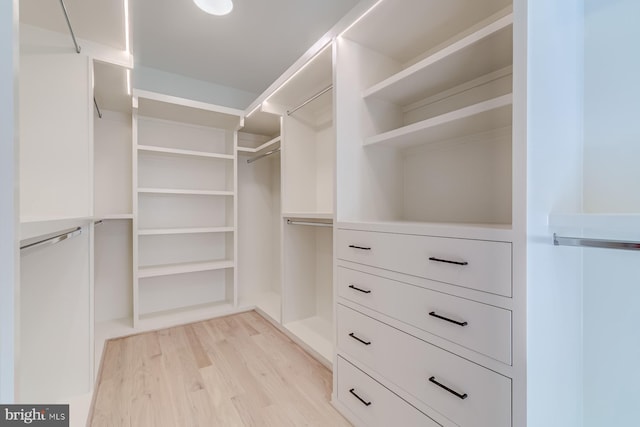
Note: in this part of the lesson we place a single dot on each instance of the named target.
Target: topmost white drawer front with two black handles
(476, 264)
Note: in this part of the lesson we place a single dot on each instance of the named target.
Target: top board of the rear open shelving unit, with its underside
(166, 107)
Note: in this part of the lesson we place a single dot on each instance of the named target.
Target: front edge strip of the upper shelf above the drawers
(458, 46)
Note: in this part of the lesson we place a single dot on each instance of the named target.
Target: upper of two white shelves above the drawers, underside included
(484, 51)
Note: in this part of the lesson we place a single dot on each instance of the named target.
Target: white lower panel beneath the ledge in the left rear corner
(113, 270)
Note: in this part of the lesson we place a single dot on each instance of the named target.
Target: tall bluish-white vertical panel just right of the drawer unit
(554, 159)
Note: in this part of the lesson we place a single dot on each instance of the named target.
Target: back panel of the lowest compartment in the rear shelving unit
(181, 290)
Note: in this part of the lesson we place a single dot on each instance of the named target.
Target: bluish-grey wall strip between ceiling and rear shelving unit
(155, 80)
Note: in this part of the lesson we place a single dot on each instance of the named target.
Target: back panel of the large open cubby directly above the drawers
(467, 180)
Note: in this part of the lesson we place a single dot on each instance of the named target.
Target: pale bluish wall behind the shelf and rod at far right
(611, 180)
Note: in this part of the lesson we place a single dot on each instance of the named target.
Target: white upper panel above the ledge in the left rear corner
(112, 164)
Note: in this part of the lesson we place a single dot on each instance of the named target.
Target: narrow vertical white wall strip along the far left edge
(9, 257)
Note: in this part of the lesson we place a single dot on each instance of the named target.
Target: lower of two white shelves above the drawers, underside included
(484, 116)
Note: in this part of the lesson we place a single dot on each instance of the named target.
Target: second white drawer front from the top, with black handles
(479, 327)
